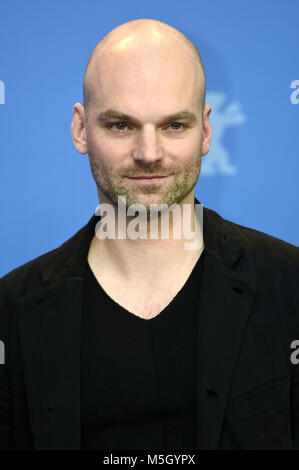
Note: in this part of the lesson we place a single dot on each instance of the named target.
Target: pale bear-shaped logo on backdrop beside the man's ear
(218, 159)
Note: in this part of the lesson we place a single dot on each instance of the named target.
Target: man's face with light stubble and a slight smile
(146, 85)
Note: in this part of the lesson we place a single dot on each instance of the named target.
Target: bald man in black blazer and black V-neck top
(138, 343)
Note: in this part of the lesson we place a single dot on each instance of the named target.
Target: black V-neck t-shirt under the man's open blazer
(138, 376)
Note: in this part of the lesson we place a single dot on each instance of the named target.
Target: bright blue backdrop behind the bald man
(250, 55)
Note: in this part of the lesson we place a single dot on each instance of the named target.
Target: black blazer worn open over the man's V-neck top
(248, 388)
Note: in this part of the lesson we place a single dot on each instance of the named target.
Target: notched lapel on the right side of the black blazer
(225, 301)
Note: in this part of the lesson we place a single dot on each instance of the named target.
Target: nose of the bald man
(147, 146)
